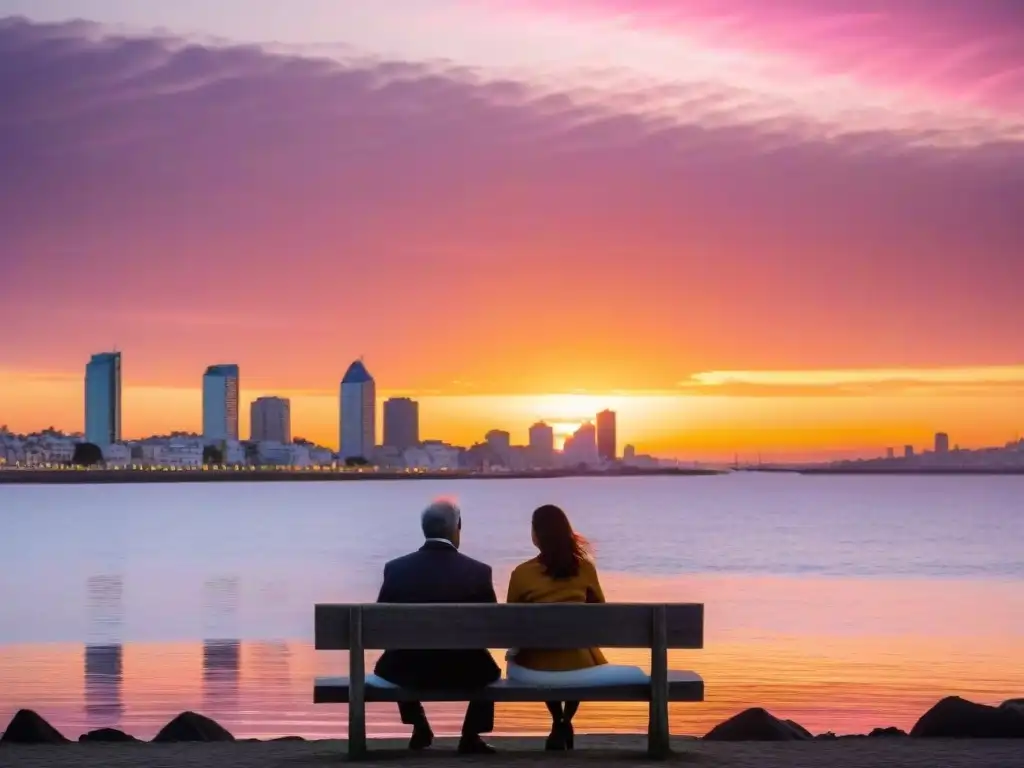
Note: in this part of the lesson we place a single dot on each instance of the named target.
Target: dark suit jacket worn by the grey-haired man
(438, 574)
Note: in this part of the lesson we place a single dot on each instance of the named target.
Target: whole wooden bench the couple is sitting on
(391, 627)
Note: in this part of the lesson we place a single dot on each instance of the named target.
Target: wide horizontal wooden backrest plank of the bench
(391, 627)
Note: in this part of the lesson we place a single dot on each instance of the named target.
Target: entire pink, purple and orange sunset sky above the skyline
(794, 228)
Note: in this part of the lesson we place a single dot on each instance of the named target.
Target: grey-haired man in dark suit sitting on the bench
(438, 573)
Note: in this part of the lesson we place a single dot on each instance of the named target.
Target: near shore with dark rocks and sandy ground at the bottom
(953, 733)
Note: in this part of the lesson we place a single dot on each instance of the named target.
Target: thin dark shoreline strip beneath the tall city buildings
(126, 477)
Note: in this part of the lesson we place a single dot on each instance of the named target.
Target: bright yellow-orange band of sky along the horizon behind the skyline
(788, 417)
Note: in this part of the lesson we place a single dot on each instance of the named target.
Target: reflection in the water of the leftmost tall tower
(104, 656)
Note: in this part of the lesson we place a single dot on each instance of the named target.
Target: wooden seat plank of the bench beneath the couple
(684, 687)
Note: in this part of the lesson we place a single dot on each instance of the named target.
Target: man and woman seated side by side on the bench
(564, 572)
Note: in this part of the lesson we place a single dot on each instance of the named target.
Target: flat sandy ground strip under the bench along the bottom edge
(591, 751)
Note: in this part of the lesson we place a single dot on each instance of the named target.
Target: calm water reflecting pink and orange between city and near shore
(842, 603)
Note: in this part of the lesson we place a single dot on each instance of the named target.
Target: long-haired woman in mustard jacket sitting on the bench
(563, 573)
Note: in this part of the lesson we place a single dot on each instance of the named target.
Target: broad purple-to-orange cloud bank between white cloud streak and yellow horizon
(456, 227)
